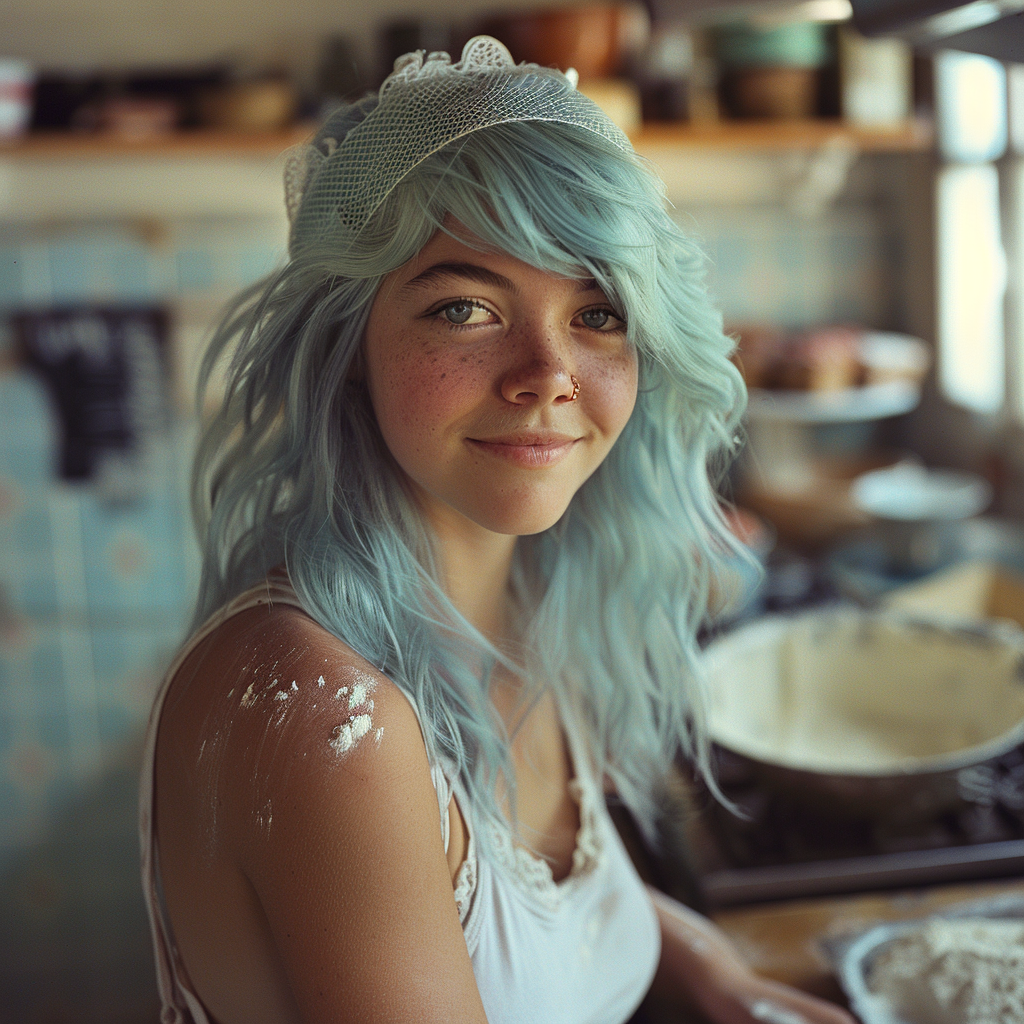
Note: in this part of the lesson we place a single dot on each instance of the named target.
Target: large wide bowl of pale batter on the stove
(867, 713)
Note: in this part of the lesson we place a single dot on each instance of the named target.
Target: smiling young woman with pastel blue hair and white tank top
(459, 534)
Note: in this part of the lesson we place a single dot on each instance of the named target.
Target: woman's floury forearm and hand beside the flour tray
(701, 966)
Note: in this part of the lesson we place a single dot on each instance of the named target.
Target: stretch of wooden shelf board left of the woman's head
(200, 143)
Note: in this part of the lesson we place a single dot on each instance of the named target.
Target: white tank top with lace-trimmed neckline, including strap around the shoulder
(583, 951)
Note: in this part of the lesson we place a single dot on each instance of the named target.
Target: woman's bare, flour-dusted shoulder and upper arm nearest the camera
(300, 834)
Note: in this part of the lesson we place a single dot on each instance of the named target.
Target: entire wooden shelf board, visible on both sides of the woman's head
(764, 136)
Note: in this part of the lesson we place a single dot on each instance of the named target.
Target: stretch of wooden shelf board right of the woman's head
(911, 138)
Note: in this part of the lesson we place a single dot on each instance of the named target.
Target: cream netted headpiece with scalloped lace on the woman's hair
(333, 189)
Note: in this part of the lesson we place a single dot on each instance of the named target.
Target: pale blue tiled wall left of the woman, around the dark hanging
(95, 598)
